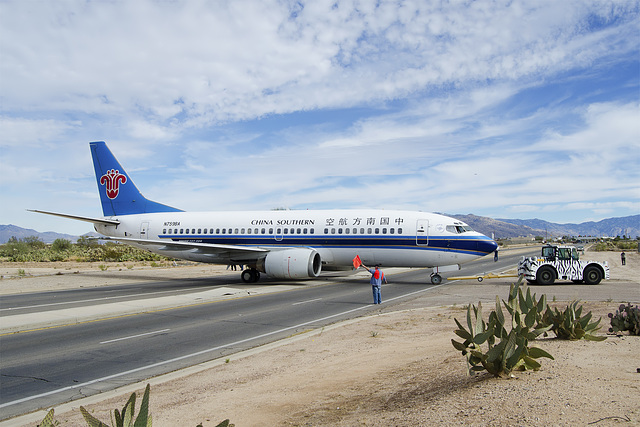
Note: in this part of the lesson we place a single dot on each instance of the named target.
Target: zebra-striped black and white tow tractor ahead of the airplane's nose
(562, 262)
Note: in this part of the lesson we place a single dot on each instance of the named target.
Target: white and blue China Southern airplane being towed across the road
(283, 244)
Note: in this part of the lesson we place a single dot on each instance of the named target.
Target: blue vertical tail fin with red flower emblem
(118, 193)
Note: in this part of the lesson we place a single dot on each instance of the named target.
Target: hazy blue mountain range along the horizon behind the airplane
(500, 228)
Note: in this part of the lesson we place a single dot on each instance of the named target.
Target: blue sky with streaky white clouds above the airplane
(505, 109)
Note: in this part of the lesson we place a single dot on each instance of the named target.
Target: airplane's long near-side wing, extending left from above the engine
(234, 252)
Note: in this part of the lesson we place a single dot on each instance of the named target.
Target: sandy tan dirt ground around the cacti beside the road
(399, 368)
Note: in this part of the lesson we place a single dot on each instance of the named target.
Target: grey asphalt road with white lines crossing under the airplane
(43, 368)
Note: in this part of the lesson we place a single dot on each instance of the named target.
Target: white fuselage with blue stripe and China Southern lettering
(389, 238)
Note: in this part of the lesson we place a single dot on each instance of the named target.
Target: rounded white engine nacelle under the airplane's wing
(298, 263)
